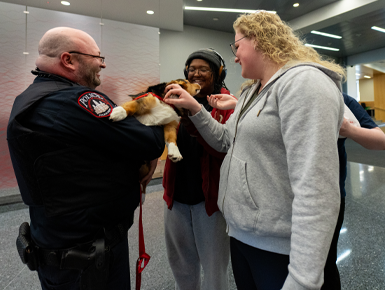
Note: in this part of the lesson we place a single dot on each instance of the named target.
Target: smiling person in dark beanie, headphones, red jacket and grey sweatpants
(195, 231)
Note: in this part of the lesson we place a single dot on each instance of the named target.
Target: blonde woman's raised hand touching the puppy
(185, 100)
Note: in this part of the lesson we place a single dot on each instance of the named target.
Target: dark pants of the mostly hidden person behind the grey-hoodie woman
(331, 274)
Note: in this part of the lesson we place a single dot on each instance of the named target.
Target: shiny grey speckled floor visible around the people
(361, 247)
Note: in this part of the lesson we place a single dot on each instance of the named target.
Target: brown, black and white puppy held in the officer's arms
(150, 111)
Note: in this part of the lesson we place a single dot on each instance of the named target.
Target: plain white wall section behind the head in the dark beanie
(175, 47)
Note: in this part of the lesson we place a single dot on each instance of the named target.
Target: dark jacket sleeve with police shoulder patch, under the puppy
(87, 121)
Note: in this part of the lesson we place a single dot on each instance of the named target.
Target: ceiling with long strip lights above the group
(351, 19)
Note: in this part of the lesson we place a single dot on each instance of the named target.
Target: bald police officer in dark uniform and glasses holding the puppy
(77, 170)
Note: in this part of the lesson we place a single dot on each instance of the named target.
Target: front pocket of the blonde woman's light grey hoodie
(241, 210)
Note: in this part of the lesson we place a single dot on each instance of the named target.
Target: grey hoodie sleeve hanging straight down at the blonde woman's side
(310, 119)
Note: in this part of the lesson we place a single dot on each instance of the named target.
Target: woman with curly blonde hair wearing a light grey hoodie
(279, 182)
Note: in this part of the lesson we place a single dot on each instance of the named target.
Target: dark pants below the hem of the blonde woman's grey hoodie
(257, 269)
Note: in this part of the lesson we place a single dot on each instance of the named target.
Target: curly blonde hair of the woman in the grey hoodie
(277, 41)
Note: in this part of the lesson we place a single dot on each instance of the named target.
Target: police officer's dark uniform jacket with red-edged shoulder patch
(77, 170)
